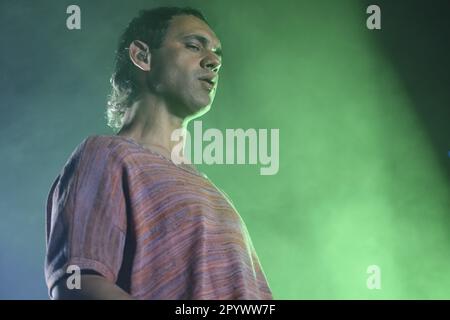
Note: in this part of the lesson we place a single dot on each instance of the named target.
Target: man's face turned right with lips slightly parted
(184, 70)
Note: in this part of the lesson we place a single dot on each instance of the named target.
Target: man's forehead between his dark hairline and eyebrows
(184, 25)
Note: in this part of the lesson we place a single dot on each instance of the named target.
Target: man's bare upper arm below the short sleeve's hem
(93, 287)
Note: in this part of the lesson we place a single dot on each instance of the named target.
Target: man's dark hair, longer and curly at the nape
(150, 27)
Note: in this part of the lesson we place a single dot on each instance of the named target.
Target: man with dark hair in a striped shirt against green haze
(136, 222)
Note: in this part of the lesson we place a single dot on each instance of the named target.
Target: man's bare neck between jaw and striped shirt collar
(149, 122)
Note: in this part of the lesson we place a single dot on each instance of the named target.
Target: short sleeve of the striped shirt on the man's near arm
(86, 214)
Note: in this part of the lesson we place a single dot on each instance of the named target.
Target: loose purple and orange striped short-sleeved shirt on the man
(157, 230)
